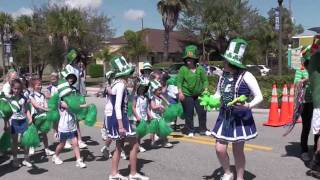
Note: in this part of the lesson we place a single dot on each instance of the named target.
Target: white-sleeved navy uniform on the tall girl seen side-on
(119, 101)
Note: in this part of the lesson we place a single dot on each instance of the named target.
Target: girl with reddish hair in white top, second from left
(39, 106)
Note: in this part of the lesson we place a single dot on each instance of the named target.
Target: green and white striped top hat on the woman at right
(235, 51)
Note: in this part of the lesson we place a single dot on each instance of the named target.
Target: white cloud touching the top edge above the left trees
(82, 4)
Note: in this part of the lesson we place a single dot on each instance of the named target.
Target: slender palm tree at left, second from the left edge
(24, 28)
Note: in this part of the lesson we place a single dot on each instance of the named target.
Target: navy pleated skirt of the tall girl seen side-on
(113, 127)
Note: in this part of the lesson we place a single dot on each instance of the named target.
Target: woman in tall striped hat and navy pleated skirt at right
(235, 124)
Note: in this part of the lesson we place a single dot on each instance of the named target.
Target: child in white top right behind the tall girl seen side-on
(140, 105)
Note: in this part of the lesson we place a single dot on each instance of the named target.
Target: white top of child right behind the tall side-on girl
(141, 107)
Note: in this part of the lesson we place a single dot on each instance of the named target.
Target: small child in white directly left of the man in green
(156, 110)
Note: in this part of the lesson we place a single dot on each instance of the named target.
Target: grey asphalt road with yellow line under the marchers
(269, 156)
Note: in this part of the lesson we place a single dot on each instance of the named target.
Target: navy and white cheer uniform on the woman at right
(234, 125)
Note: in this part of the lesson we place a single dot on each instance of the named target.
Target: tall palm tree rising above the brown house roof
(169, 10)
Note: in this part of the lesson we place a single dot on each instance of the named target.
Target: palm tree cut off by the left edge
(6, 21)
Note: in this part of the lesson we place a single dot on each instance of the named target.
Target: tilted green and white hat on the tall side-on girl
(120, 66)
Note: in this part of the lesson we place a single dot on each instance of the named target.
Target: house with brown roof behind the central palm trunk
(154, 40)
